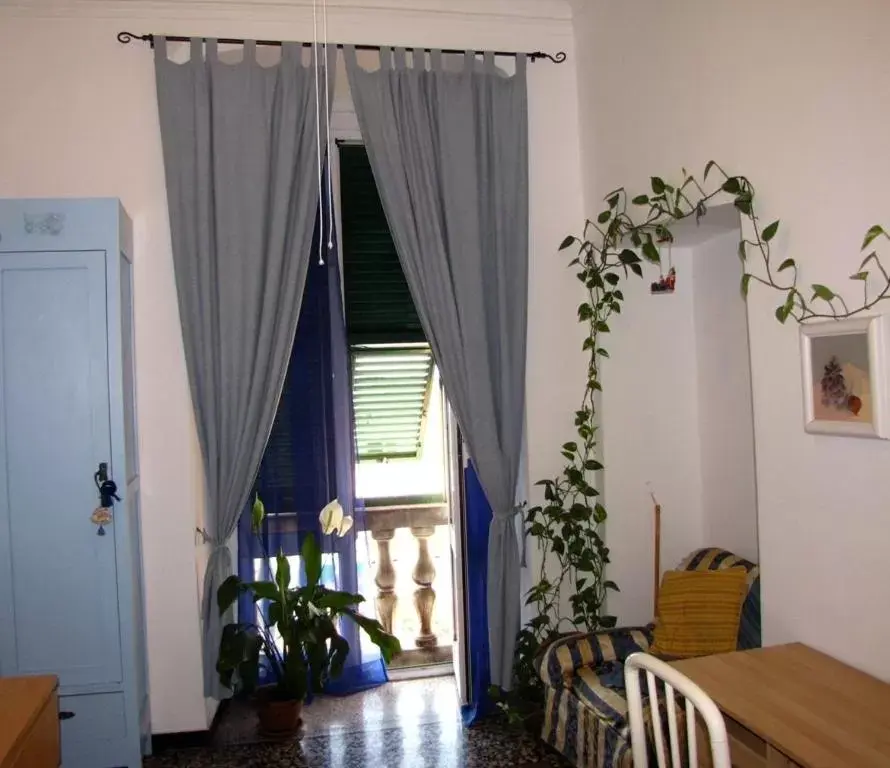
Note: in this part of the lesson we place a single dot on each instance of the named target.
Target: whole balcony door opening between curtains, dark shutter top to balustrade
(407, 466)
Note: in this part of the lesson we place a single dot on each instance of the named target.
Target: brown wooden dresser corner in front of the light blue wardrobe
(29, 722)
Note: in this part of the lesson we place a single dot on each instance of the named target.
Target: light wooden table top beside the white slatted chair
(816, 710)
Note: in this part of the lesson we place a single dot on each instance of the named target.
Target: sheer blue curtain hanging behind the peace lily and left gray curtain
(309, 461)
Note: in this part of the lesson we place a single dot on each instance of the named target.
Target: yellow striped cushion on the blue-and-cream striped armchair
(698, 612)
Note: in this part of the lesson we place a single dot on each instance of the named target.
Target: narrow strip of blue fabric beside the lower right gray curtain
(478, 518)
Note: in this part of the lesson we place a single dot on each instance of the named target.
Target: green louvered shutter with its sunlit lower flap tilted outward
(391, 362)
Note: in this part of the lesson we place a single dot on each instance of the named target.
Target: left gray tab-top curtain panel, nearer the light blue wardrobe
(240, 153)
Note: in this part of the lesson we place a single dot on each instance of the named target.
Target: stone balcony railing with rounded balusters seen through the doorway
(424, 628)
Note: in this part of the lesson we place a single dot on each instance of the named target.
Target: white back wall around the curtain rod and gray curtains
(79, 119)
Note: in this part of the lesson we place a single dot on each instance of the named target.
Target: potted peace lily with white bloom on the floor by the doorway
(304, 620)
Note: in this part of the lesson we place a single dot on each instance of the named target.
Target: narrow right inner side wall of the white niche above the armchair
(725, 418)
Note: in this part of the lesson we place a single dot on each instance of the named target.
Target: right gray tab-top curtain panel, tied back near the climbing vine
(449, 151)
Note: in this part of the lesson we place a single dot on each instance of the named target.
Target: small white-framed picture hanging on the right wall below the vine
(844, 364)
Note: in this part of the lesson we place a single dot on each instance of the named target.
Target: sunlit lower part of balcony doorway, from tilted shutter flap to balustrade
(402, 485)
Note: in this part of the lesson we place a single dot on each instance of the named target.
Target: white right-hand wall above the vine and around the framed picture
(795, 95)
